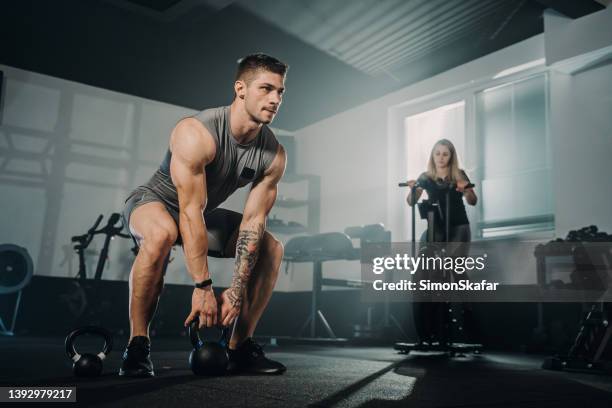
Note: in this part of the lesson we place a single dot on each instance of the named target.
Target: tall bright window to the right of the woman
(514, 165)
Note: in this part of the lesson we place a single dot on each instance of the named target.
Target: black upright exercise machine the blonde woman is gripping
(437, 323)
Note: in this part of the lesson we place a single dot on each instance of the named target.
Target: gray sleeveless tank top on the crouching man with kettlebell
(235, 165)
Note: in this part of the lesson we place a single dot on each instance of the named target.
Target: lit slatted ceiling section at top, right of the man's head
(380, 39)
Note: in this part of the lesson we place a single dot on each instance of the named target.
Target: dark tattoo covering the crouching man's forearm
(247, 252)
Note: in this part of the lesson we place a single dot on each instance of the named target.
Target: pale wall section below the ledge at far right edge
(581, 125)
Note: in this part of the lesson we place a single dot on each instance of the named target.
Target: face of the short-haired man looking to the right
(263, 96)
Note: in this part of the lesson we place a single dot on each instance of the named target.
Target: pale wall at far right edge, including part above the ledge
(580, 52)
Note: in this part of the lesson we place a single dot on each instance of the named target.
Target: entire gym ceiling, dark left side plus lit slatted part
(342, 53)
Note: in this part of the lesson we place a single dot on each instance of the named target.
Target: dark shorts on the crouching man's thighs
(222, 225)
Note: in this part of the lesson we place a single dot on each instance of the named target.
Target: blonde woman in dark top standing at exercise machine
(443, 169)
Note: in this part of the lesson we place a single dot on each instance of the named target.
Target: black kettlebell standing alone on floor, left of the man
(87, 364)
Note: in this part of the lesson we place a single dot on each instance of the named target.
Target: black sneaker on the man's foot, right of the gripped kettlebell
(249, 358)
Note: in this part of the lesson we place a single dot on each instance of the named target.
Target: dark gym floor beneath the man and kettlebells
(321, 376)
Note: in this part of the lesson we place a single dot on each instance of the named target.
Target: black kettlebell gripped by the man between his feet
(207, 358)
